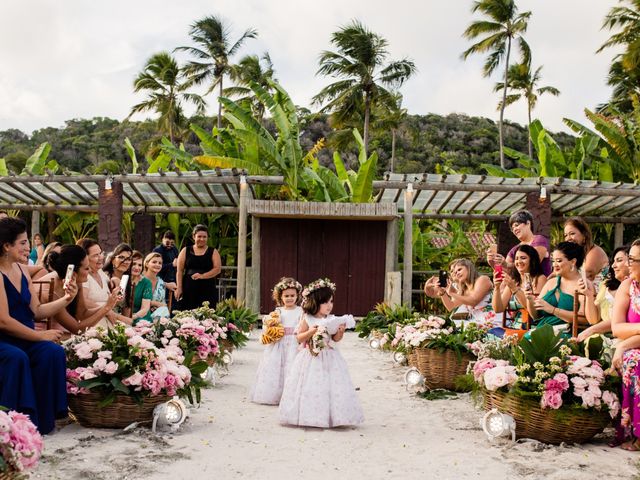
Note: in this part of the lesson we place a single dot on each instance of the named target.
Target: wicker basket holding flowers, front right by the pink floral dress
(547, 425)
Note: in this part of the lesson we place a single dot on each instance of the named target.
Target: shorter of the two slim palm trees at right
(522, 81)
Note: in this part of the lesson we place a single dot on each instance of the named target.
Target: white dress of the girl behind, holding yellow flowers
(276, 360)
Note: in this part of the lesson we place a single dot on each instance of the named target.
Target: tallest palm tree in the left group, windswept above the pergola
(213, 51)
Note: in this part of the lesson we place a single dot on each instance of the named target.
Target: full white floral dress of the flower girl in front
(318, 391)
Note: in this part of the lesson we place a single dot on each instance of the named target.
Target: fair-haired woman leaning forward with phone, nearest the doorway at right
(467, 292)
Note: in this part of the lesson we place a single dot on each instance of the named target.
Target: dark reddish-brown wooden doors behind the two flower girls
(350, 252)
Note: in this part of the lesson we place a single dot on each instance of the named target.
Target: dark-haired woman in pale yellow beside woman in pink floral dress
(599, 310)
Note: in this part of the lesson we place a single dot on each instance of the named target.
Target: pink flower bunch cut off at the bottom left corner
(20, 443)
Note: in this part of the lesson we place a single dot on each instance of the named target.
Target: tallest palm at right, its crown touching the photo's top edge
(503, 26)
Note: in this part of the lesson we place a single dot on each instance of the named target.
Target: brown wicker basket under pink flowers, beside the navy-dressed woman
(122, 412)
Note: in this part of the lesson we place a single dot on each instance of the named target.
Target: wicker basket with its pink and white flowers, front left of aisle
(121, 365)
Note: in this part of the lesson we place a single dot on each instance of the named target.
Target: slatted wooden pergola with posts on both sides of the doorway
(412, 196)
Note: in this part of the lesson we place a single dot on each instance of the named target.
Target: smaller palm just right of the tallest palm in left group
(251, 69)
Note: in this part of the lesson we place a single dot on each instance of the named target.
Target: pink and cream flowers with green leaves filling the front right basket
(545, 368)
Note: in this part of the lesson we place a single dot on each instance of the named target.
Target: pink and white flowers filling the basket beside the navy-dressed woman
(123, 360)
